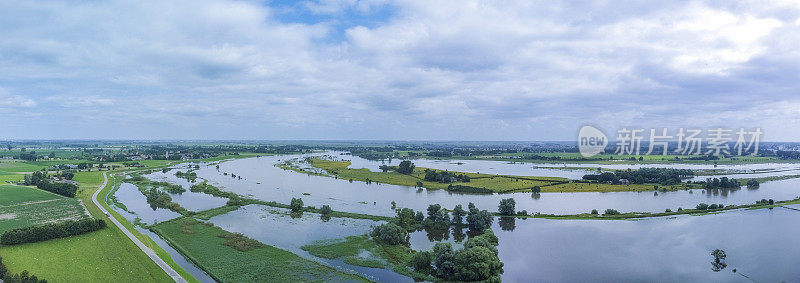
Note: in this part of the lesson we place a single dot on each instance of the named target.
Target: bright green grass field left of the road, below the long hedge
(106, 255)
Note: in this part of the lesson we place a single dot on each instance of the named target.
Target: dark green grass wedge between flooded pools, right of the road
(204, 244)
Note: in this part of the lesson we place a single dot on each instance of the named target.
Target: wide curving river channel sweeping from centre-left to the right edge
(262, 180)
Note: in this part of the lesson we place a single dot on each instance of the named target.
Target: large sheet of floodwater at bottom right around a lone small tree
(760, 244)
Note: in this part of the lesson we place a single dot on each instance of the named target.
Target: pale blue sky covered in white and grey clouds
(400, 70)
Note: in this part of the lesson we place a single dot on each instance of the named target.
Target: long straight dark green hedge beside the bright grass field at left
(51, 231)
